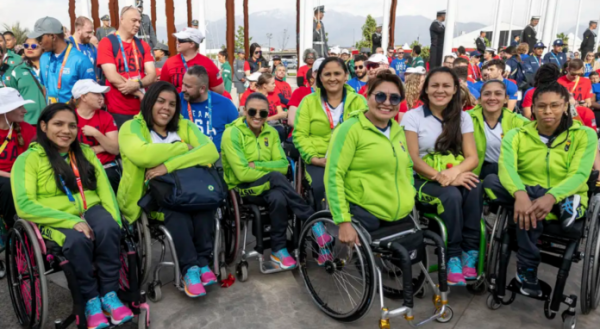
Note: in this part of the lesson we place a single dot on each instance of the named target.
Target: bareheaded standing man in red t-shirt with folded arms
(124, 73)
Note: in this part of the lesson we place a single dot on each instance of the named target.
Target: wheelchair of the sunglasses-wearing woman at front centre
(391, 261)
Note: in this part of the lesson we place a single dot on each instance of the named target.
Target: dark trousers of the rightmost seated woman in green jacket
(528, 254)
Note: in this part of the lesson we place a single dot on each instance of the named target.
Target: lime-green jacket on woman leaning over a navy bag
(140, 153)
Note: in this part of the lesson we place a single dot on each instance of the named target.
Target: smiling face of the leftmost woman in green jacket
(61, 129)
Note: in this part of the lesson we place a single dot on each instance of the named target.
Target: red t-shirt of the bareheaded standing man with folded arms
(115, 101)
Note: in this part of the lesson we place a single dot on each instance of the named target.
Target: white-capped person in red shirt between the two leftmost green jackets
(97, 128)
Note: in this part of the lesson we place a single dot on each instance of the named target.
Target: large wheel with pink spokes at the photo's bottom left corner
(26, 278)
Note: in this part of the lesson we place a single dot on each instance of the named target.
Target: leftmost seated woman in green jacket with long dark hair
(61, 186)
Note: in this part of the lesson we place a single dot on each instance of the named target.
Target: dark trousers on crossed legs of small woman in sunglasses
(277, 192)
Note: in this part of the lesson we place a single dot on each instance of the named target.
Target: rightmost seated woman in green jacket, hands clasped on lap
(554, 189)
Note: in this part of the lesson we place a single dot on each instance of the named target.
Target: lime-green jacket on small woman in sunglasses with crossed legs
(240, 146)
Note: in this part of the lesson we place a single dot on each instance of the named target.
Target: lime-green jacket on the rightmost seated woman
(563, 169)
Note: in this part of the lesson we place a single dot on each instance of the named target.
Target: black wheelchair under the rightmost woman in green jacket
(559, 249)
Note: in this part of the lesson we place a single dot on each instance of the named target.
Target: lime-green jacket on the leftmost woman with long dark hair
(40, 201)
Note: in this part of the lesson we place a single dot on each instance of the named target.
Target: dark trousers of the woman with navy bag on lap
(192, 235)
